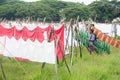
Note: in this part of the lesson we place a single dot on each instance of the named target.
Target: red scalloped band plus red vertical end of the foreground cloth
(36, 34)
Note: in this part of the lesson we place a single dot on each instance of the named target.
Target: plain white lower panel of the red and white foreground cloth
(33, 51)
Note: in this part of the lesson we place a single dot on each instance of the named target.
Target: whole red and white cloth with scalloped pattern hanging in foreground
(32, 45)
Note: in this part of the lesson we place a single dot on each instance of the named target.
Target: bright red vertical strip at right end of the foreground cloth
(60, 45)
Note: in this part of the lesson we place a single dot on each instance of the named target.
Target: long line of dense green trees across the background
(55, 10)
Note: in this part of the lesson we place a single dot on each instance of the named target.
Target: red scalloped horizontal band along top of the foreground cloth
(24, 33)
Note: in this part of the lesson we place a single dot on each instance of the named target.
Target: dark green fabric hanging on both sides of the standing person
(100, 45)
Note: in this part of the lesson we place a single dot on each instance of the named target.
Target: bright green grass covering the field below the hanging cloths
(89, 67)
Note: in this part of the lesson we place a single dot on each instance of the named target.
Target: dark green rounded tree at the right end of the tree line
(102, 10)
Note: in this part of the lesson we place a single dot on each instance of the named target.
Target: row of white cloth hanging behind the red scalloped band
(30, 24)
